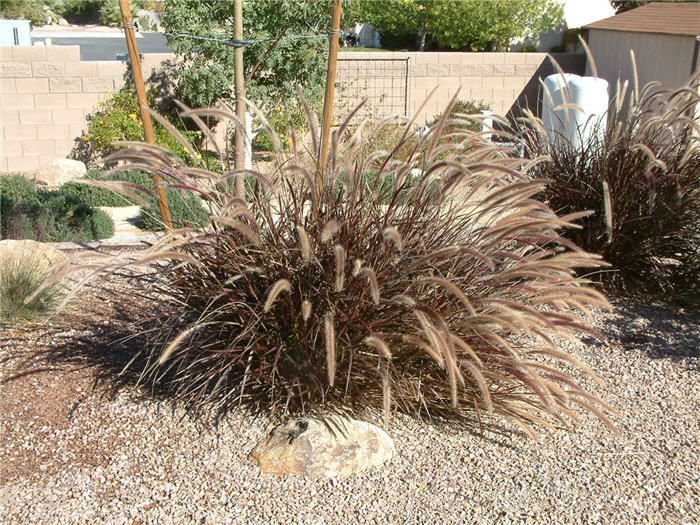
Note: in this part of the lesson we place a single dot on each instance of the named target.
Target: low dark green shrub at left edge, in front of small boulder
(48, 216)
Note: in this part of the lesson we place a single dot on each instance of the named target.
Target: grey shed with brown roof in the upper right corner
(664, 37)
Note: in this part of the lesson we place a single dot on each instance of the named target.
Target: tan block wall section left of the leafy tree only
(46, 92)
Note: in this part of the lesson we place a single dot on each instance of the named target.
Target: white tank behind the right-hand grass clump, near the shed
(577, 124)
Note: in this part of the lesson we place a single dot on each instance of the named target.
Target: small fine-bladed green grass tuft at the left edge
(20, 275)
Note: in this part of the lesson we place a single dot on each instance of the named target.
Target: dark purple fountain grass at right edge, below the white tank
(647, 167)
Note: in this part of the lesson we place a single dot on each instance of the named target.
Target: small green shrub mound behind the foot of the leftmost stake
(185, 210)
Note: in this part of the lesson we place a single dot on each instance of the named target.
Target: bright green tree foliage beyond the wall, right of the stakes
(474, 25)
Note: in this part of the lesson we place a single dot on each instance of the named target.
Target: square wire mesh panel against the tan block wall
(382, 81)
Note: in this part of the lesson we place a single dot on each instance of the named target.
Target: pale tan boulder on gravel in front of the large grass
(315, 450)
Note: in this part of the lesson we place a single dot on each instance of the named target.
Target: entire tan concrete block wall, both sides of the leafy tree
(46, 93)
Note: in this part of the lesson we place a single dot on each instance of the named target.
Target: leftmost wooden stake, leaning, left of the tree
(143, 103)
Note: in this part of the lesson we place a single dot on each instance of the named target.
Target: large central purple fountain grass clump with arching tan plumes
(445, 298)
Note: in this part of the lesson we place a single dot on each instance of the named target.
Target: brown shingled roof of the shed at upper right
(670, 18)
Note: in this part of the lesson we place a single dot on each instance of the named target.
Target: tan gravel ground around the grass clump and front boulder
(76, 450)
